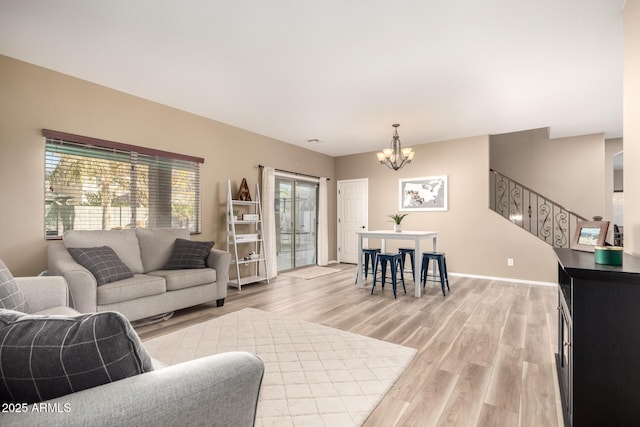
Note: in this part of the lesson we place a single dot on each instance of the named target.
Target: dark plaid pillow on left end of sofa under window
(102, 262)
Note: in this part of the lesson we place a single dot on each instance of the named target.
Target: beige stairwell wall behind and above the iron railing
(556, 168)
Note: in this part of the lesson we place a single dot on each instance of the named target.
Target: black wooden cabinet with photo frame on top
(598, 357)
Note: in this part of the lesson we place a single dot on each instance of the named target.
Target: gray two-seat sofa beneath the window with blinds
(152, 290)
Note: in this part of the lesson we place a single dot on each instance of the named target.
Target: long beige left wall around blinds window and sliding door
(34, 98)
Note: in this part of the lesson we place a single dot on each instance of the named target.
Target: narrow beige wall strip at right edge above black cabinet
(631, 120)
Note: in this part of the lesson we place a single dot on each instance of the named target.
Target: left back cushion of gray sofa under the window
(123, 242)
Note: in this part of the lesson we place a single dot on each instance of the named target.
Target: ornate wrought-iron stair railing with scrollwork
(535, 213)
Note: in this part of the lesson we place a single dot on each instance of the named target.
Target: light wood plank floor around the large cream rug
(485, 352)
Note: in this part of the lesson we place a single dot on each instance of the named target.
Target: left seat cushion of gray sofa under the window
(140, 285)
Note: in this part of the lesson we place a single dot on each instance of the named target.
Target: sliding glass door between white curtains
(296, 212)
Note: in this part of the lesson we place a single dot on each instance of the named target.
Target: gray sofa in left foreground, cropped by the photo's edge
(219, 390)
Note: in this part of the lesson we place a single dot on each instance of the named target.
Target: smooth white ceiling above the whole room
(343, 71)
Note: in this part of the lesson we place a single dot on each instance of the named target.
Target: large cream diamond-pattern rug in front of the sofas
(314, 375)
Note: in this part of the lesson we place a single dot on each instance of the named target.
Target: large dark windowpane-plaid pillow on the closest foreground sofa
(43, 357)
